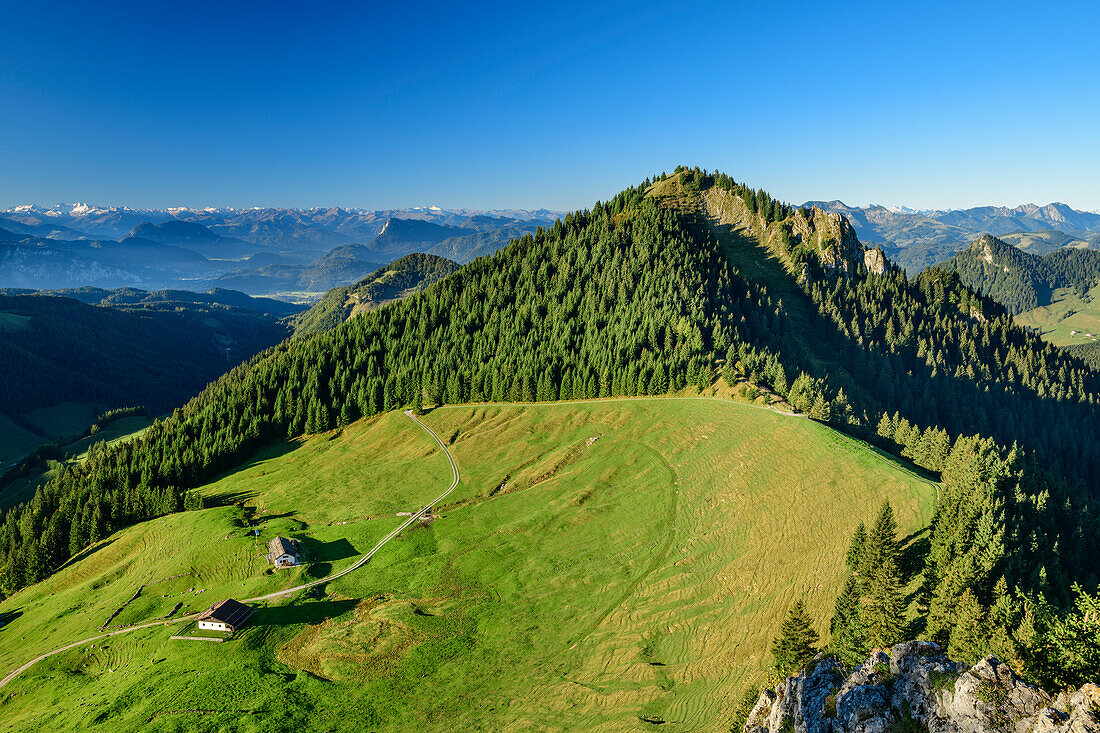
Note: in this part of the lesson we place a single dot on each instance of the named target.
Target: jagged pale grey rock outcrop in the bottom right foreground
(915, 687)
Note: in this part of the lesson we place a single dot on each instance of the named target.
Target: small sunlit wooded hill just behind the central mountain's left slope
(395, 281)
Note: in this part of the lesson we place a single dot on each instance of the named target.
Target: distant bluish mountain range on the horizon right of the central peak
(917, 240)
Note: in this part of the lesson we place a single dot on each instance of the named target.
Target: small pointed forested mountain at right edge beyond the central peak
(1021, 281)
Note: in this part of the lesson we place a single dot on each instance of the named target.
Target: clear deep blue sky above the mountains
(551, 105)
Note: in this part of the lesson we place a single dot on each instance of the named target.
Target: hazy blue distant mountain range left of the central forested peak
(258, 251)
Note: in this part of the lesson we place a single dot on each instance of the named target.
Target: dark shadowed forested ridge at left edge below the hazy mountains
(148, 351)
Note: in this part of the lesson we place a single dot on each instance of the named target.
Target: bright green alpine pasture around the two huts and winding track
(570, 585)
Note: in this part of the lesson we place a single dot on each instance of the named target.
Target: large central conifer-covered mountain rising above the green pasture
(667, 287)
